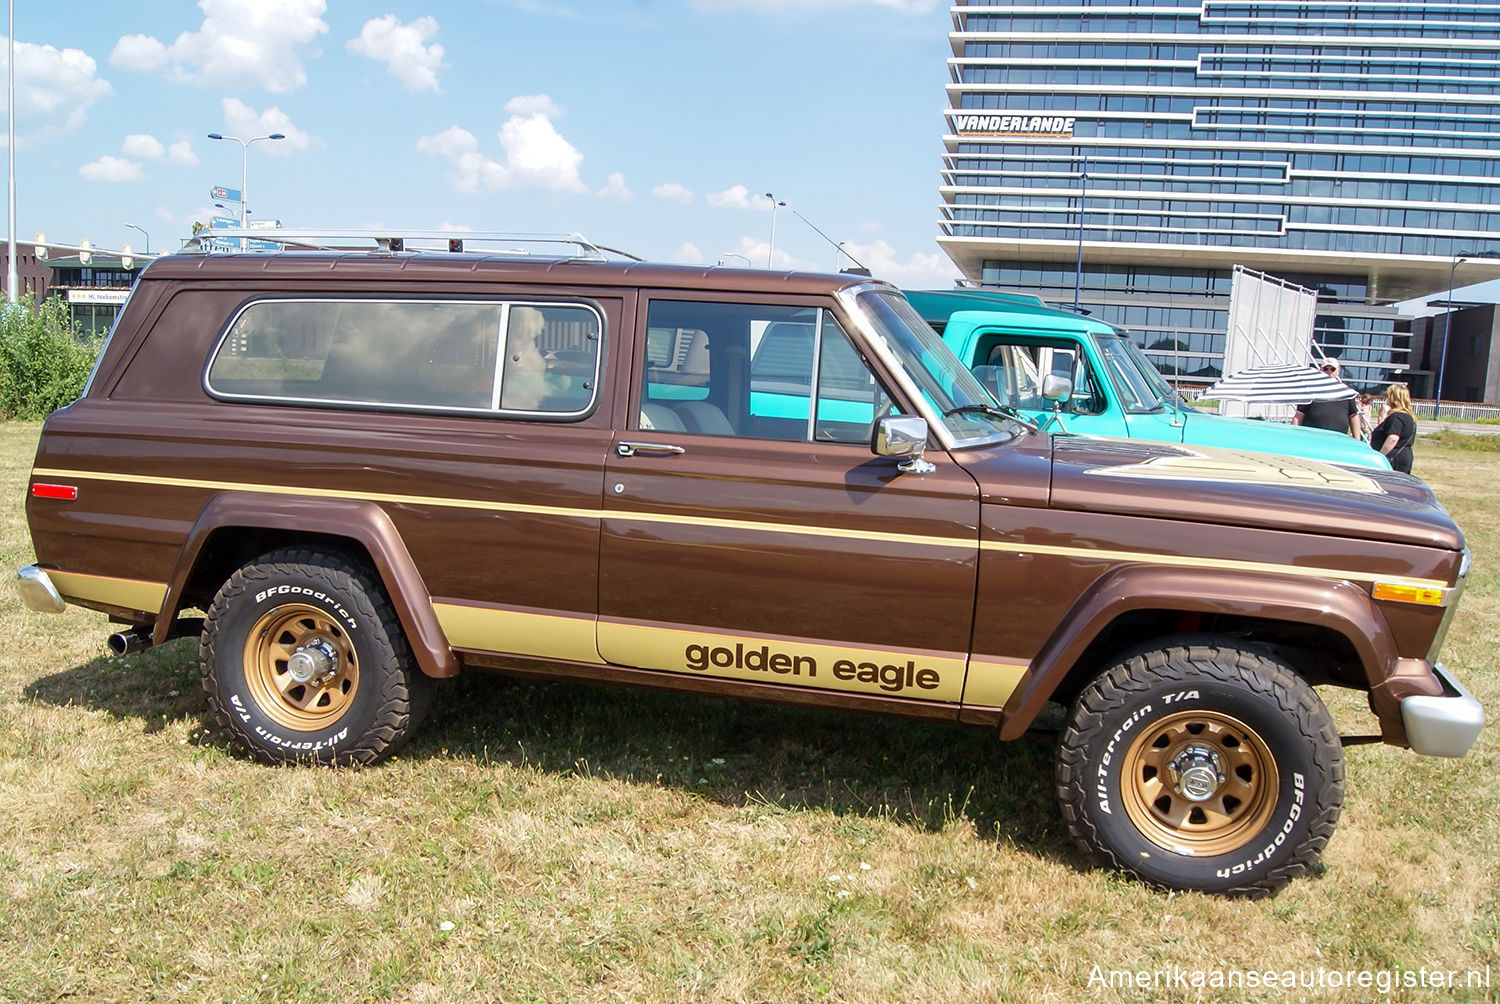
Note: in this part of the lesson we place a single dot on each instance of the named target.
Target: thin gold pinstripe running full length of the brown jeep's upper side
(1003, 547)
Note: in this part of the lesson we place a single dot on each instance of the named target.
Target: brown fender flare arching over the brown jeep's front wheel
(1337, 606)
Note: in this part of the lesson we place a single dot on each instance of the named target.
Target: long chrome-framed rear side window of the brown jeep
(422, 355)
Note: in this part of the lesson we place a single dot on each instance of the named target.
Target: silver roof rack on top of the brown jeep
(391, 242)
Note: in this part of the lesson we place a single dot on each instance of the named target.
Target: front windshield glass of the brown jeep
(956, 397)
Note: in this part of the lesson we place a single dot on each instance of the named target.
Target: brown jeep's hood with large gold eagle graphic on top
(1238, 488)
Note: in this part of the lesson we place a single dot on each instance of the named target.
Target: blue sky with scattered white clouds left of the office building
(647, 125)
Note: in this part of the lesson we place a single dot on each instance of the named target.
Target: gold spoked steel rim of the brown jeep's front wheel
(1199, 783)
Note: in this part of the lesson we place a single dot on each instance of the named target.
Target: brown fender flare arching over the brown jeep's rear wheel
(359, 522)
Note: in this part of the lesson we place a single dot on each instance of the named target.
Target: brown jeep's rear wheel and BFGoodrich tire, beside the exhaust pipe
(305, 661)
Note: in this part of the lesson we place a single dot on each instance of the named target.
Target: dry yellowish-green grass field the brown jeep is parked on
(553, 843)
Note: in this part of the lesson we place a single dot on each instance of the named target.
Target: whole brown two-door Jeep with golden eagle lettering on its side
(377, 467)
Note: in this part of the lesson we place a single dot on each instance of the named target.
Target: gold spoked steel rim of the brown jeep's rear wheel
(301, 667)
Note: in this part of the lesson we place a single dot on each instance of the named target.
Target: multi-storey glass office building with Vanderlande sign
(1348, 146)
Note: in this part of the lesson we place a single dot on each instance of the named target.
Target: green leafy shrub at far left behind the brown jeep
(44, 359)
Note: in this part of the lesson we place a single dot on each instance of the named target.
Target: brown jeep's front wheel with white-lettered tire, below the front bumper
(1202, 766)
